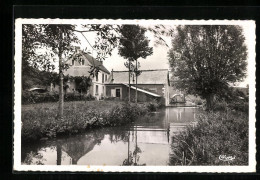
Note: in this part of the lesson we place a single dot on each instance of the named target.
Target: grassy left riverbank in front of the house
(40, 121)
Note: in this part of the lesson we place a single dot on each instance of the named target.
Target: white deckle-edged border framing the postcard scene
(17, 166)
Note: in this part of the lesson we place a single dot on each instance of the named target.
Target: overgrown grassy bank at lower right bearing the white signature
(216, 133)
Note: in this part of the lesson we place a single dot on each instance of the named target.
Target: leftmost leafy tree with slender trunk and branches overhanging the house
(57, 42)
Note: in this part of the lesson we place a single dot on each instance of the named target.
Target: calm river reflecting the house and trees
(147, 141)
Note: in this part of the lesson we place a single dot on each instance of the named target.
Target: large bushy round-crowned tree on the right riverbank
(205, 59)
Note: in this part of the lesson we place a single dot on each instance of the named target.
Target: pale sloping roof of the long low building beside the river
(156, 76)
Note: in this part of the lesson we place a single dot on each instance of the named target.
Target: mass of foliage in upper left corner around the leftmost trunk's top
(56, 40)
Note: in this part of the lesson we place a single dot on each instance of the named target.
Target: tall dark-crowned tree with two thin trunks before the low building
(133, 45)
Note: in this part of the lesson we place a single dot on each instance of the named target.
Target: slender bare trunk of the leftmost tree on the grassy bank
(61, 93)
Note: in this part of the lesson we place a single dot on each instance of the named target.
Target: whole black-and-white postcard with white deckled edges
(99, 95)
